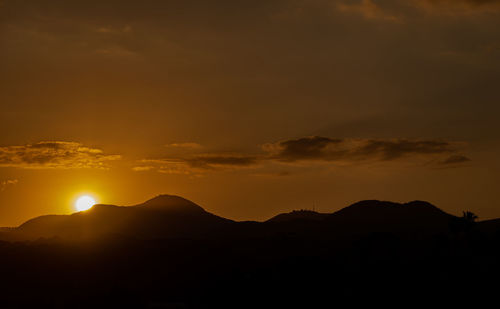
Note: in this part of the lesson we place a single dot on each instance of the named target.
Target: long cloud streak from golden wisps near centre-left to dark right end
(314, 149)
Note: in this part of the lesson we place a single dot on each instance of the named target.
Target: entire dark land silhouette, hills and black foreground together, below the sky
(170, 253)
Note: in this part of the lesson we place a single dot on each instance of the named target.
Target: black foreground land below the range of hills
(297, 263)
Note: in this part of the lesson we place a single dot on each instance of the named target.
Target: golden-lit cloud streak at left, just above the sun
(54, 154)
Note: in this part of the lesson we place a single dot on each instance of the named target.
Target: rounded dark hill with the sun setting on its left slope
(165, 216)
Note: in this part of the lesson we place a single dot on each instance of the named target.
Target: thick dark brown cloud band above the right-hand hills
(317, 148)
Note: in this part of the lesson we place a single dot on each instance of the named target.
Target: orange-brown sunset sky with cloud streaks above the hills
(249, 108)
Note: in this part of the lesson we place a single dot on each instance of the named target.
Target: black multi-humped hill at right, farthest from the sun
(413, 219)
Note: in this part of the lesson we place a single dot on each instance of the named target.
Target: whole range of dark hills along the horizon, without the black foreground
(169, 216)
